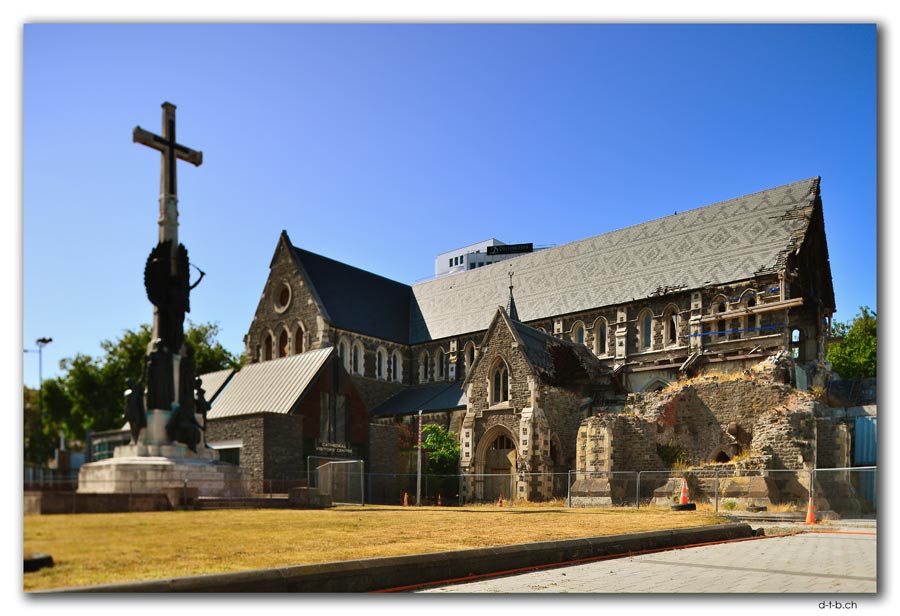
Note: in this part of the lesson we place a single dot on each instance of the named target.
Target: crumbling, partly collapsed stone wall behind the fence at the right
(707, 420)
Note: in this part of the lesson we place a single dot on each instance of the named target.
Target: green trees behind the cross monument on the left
(89, 394)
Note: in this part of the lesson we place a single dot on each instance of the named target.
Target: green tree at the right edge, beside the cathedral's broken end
(856, 356)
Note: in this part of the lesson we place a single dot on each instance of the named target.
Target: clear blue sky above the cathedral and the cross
(384, 145)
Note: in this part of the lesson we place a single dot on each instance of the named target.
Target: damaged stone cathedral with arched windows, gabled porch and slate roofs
(513, 357)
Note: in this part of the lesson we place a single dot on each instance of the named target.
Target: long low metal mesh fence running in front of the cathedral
(848, 492)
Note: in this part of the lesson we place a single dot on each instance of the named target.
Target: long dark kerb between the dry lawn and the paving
(398, 572)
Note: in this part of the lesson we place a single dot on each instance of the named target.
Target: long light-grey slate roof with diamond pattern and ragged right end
(719, 243)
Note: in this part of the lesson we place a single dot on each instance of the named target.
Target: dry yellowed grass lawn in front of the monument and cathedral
(90, 549)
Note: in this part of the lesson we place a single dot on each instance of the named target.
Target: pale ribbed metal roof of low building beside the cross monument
(269, 386)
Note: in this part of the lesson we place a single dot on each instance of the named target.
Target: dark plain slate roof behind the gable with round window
(358, 300)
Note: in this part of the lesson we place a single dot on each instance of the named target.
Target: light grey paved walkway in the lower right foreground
(811, 562)
